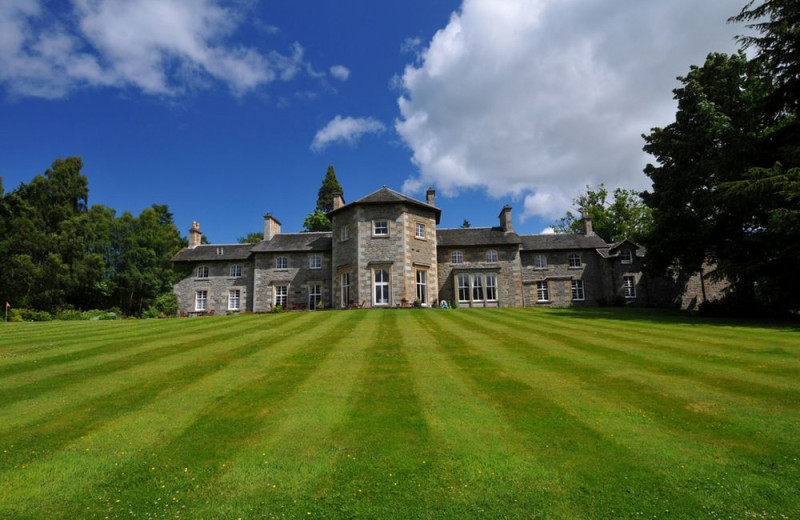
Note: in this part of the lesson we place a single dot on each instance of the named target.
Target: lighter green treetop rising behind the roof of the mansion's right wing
(626, 216)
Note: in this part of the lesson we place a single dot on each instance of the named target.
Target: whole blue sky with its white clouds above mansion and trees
(226, 110)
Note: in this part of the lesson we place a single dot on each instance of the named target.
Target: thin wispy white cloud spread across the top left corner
(157, 46)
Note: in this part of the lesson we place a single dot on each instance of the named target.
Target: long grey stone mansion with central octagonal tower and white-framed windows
(385, 250)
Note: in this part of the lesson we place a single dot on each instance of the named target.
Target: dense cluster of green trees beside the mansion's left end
(58, 252)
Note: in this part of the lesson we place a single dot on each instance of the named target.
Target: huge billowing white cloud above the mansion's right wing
(538, 98)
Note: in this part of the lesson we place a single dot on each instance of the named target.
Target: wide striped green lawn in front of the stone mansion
(508, 413)
